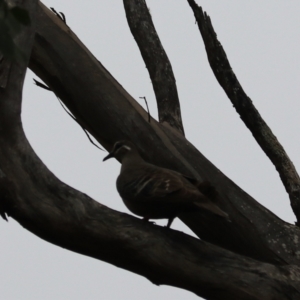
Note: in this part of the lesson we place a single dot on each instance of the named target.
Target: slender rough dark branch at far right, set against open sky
(247, 111)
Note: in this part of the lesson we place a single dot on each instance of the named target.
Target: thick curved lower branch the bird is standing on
(33, 196)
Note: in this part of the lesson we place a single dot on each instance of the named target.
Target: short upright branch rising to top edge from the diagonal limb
(157, 62)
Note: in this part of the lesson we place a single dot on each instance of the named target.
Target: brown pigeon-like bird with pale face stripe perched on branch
(153, 192)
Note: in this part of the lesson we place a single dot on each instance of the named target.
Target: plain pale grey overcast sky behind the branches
(261, 39)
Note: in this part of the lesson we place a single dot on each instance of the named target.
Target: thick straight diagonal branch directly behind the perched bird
(110, 114)
